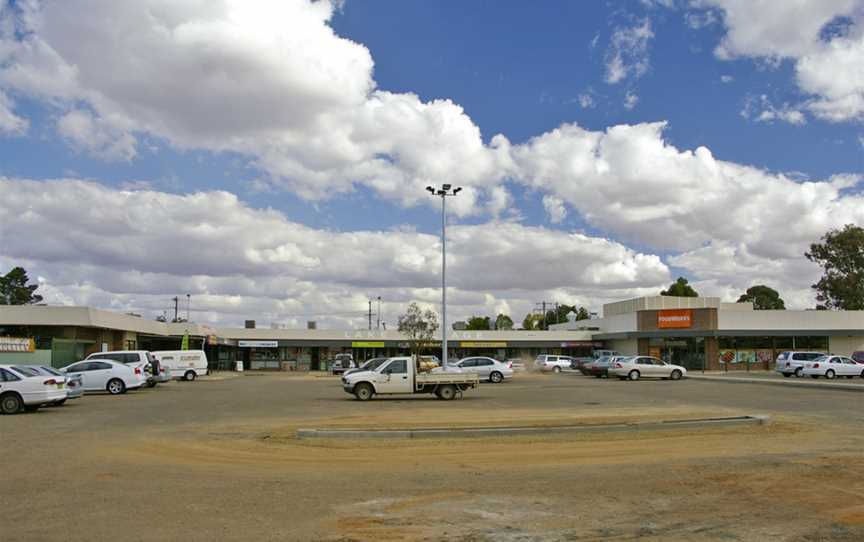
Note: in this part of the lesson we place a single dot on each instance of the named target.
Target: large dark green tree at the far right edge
(841, 255)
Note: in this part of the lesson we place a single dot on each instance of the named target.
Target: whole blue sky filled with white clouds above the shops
(269, 157)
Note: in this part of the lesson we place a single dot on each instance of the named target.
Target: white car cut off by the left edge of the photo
(28, 390)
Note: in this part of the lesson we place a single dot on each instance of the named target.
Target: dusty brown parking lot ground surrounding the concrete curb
(218, 459)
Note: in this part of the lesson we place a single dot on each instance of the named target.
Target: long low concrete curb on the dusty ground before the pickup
(699, 423)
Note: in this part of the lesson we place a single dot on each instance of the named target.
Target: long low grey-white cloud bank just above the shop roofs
(130, 249)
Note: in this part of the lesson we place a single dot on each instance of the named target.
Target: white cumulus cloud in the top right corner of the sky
(827, 55)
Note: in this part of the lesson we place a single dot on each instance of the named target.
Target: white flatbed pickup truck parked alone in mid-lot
(400, 376)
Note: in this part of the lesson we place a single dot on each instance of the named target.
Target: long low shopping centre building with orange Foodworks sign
(699, 333)
